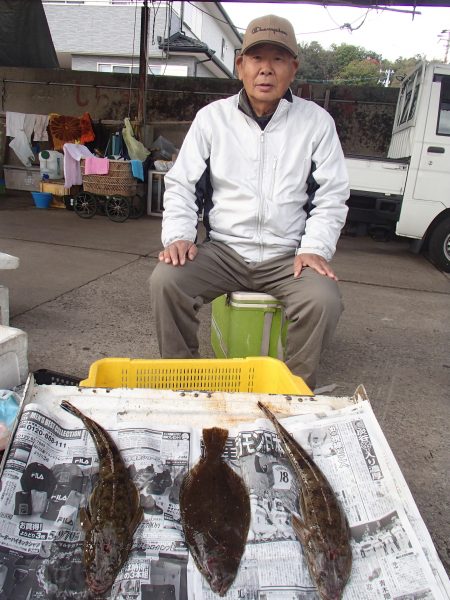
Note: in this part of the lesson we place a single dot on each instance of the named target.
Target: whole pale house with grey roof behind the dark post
(195, 39)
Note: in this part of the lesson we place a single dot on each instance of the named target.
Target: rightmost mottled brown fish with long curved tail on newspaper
(322, 528)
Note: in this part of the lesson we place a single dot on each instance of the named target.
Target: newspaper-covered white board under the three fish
(52, 463)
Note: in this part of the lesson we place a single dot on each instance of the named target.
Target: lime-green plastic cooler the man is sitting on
(248, 324)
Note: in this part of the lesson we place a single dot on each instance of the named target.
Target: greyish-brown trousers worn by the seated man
(312, 302)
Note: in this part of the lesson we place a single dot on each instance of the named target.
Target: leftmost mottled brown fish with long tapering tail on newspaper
(113, 512)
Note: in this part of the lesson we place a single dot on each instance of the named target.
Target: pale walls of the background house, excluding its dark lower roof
(93, 33)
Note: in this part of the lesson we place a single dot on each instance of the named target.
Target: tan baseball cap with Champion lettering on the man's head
(270, 29)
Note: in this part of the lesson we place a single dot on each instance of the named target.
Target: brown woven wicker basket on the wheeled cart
(118, 182)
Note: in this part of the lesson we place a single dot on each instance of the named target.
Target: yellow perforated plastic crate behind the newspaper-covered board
(263, 375)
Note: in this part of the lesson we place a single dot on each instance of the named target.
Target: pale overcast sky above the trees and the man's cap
(389, 33)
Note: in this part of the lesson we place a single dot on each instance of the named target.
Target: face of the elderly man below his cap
(266, 71)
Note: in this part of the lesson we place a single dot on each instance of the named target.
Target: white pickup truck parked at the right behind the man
(409, 191)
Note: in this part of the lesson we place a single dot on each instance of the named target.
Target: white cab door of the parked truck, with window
(433, 175)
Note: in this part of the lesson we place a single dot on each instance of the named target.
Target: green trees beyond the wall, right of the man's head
(345, 64)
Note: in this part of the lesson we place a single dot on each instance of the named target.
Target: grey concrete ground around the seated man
(81, 294)
